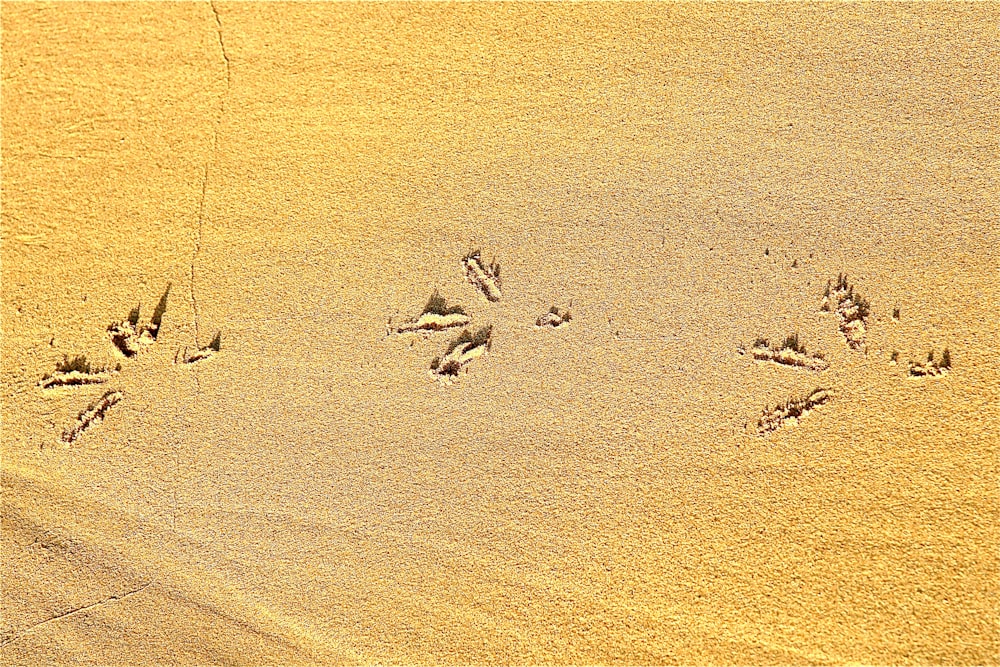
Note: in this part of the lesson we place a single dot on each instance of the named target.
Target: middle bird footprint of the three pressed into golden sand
(437, 316)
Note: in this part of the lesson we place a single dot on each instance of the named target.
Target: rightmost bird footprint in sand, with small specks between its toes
(853, 311)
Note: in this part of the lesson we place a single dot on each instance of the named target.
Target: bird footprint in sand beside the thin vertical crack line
(129, 340)
